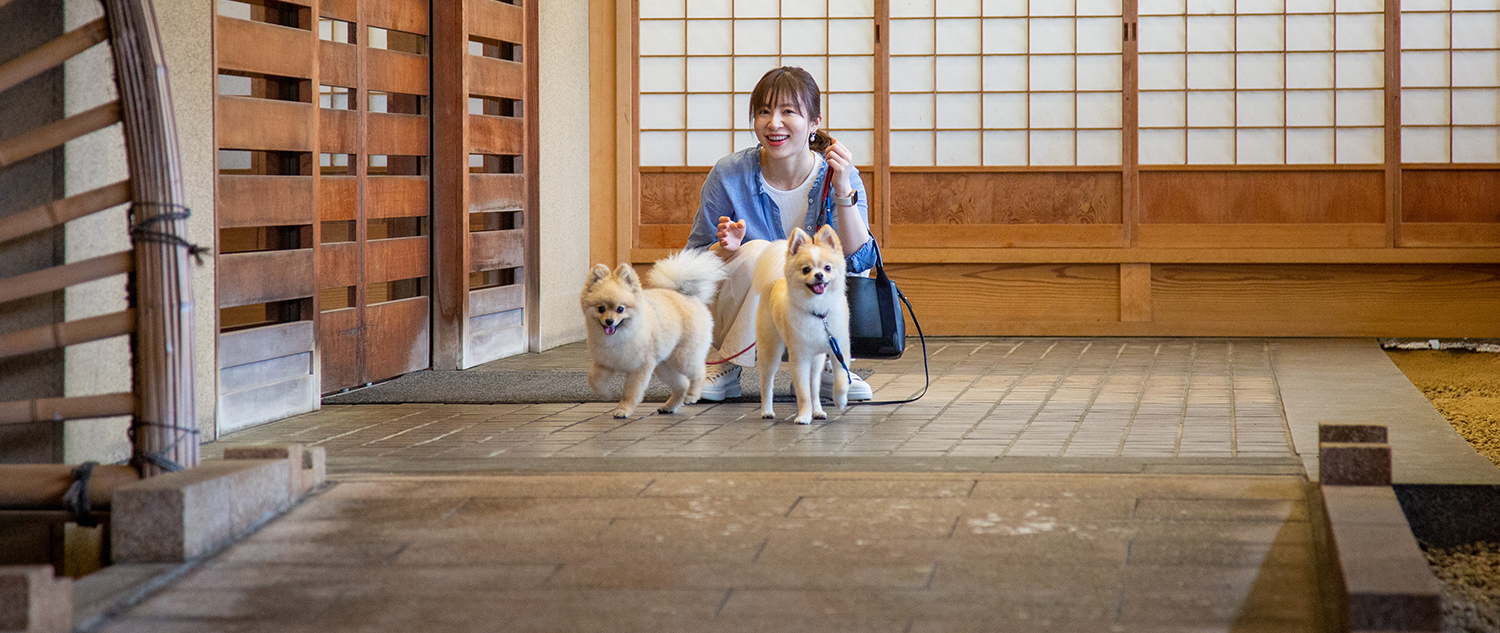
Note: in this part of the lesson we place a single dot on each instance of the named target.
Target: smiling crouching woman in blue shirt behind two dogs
(761, 194)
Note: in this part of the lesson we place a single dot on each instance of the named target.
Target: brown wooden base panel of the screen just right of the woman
(1006, 199)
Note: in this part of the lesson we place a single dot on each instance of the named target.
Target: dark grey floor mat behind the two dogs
(479, 386)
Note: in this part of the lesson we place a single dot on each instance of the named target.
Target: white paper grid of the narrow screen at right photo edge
(1463, 137)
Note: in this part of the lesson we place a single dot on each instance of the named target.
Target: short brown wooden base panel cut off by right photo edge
(1451, 196)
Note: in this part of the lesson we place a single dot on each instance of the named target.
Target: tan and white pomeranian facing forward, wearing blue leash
(802, 284)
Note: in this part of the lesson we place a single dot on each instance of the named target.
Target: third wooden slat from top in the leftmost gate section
(265, 202)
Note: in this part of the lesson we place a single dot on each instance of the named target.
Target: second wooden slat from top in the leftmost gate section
(265, 124)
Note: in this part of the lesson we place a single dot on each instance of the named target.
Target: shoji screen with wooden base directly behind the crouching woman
(698, 64)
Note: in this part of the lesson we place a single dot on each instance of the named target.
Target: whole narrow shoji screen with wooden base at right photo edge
(1450, 122)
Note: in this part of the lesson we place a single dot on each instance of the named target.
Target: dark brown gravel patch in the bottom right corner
(1471, 575)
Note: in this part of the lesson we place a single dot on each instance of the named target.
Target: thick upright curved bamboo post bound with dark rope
(166, 418)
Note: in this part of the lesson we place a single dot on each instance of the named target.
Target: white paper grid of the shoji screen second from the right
(1345, 140)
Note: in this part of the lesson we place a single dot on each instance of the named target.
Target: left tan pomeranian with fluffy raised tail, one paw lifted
(664, 331)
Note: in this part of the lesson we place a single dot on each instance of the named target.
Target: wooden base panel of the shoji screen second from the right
(1262, 197)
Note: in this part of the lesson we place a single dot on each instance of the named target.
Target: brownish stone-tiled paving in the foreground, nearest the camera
(766, 553)
